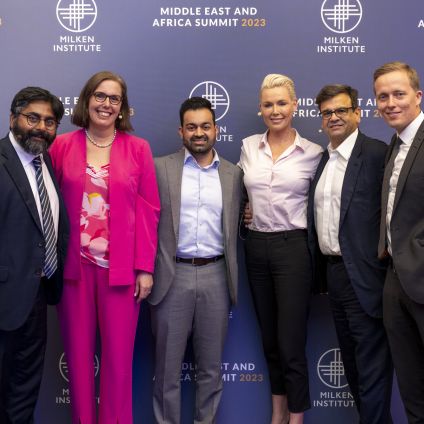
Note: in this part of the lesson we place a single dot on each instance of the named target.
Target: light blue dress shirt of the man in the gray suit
(200, 231)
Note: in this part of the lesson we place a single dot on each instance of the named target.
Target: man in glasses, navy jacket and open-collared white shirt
(343, 225)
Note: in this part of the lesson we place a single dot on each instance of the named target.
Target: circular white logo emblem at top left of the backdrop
(76, 15)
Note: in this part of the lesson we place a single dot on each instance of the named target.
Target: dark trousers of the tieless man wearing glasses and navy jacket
(364, 348)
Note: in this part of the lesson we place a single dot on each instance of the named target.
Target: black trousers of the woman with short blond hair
(279, 273)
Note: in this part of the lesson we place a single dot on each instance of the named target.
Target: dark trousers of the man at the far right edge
(404, 322)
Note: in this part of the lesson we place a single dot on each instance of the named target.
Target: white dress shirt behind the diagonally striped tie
(26, 160)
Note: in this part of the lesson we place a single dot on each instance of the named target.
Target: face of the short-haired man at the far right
(397, 102)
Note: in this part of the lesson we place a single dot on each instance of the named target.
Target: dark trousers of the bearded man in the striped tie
(21, 365)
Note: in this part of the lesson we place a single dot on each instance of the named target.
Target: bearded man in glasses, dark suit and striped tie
(33, 238)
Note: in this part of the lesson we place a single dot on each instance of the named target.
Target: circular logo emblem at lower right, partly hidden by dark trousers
(330, 369)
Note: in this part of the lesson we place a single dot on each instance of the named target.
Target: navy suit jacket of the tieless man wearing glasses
(359, 223)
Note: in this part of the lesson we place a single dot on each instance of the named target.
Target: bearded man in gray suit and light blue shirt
(195, 278)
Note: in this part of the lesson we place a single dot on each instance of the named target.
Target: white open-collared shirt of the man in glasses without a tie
(328, 194)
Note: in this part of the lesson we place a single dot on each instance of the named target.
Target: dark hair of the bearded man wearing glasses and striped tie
(36, 94)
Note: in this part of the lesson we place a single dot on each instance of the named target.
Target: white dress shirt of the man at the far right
(407, 137)
